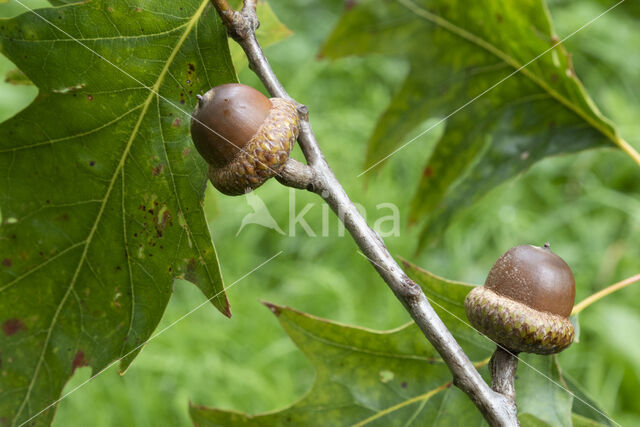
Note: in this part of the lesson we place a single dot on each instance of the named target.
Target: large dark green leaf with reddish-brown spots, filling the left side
(101, 191)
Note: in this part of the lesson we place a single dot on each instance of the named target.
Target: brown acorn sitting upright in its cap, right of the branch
(526, 301)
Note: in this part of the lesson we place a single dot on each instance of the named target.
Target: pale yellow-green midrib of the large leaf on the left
(132, 137)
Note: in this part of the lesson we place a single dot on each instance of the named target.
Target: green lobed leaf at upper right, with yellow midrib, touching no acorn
(466, 66)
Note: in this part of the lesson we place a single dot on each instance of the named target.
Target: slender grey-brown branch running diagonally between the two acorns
(318, 177)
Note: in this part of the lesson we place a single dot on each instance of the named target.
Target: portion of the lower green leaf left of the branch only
(363, 377)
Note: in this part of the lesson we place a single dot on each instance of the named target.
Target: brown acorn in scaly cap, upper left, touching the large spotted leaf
(244, 136)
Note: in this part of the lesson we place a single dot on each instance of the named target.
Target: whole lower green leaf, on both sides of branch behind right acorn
(366, 377)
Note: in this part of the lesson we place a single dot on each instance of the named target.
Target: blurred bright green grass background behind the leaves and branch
(587, 205)
